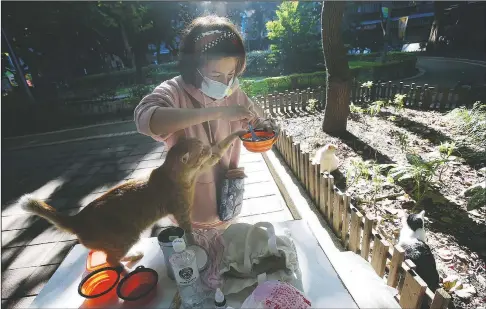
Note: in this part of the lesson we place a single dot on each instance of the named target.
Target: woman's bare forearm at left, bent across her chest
(170, 120)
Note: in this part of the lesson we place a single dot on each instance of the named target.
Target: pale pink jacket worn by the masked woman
(175, 93)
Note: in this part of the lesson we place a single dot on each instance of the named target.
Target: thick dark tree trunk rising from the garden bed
(338, 74)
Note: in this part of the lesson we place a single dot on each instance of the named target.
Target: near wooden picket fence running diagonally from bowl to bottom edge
(356, 230)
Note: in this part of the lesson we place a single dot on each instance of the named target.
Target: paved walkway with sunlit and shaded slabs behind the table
(69, 176)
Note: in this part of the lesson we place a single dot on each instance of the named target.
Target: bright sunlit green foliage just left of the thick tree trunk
(295, 36)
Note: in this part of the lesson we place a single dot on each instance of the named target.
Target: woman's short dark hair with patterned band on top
(191, 56)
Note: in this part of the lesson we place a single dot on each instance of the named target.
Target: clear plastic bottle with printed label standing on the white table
(186, 274)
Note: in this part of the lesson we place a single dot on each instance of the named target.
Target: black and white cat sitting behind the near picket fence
(413, 241)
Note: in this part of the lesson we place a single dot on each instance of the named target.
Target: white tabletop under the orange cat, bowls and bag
(320, 282)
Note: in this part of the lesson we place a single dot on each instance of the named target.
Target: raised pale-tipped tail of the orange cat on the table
(31, 204)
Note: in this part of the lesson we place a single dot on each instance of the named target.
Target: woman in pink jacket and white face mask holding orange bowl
(205, 102)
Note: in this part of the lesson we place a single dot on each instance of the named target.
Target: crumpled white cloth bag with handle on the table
(251, 251)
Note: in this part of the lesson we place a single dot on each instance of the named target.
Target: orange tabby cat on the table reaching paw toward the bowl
(113, 222)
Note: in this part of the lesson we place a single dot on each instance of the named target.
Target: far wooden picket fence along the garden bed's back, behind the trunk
(419, 97)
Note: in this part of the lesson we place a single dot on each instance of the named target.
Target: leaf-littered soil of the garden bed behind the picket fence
(457, 236)
